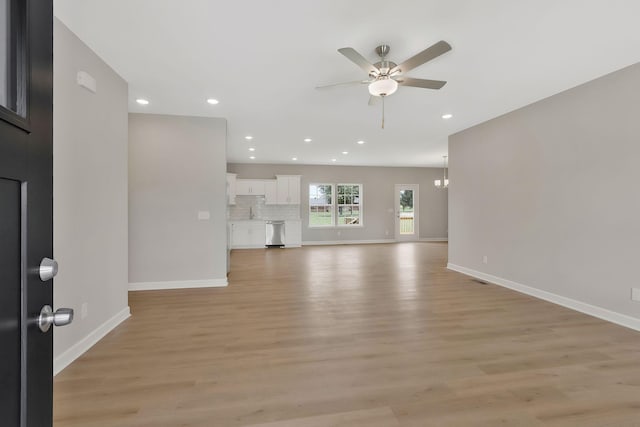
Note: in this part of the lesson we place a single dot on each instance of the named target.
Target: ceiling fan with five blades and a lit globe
(385, 76)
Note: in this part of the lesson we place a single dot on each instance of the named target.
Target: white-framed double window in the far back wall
(347, 198)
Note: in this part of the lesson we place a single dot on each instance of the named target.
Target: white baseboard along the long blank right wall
(592, 310)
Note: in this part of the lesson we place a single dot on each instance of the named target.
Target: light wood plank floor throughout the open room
(373, 335)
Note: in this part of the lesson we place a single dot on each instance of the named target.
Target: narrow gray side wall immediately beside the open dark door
(89, 190)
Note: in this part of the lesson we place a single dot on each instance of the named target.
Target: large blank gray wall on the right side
(550, 194)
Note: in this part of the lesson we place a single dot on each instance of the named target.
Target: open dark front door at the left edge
(26, 229)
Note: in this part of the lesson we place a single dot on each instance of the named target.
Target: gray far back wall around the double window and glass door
(378, 188)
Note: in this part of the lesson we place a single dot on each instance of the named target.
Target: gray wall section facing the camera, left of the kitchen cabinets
(176, 168)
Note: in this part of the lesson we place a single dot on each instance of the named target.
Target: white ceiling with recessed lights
(263, 59)
